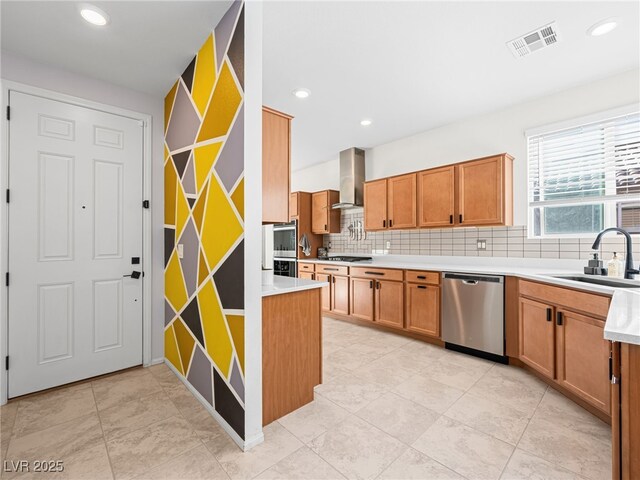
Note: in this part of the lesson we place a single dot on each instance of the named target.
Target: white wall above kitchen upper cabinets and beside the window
(497, 132)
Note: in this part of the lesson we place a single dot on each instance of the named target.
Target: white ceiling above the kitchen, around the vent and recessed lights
(412, 66)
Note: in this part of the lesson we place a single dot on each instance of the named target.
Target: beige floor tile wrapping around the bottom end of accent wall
(278, 444)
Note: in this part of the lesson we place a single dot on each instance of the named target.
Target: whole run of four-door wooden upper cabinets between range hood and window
(474, 193)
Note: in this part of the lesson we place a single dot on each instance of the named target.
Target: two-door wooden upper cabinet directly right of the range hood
(390, 203)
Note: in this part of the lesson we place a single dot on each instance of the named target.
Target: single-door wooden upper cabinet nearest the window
(485, 191)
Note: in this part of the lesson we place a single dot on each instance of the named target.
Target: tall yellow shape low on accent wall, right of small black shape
(216, 338)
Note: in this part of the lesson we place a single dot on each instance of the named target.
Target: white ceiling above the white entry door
(146, 47)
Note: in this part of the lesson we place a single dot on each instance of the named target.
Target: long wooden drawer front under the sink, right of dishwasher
(593, 304)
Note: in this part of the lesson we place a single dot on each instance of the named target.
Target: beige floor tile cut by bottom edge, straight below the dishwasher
(469, 452)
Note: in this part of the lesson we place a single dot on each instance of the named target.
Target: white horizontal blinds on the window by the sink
(593, 163)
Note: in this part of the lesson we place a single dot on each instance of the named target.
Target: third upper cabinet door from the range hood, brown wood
(436, 197)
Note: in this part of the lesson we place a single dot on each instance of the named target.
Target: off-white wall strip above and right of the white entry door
(22, 70)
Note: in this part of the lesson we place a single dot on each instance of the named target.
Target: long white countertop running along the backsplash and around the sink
(623, 320)
